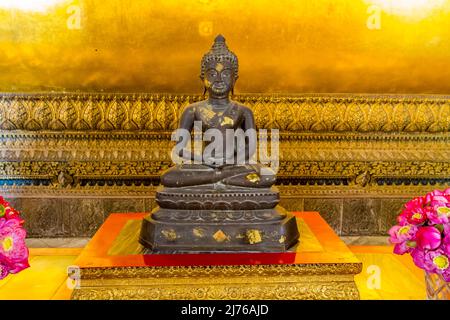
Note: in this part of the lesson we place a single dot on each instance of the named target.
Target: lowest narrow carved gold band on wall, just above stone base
(356, 172)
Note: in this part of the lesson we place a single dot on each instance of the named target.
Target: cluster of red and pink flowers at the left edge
(13, 251)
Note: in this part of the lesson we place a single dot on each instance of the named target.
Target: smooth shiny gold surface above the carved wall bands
(400, 46)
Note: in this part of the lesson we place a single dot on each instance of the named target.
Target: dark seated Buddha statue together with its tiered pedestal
(218, 199)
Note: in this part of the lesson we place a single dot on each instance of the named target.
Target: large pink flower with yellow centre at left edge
(12, 241)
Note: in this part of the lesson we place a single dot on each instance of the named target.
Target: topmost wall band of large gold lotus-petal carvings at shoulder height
(160, 112)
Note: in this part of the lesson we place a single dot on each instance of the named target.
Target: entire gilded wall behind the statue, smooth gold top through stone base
(67, 160)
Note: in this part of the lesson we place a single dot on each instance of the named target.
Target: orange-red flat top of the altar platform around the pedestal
(319, 244)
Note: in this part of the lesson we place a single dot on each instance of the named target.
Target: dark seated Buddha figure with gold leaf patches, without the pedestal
(219, 73)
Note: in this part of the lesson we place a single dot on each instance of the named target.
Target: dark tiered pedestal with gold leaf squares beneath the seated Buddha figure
(234, 220)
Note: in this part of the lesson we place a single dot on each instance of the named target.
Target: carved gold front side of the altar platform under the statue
(310, 281)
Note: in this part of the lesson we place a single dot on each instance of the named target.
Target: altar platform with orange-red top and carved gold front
(115, 266)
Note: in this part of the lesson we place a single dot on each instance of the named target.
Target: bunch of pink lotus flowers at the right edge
(423, 230)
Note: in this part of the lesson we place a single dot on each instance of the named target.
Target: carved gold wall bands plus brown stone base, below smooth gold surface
(68, 160)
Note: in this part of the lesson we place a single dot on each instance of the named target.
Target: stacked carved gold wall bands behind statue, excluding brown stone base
(341, 139)
